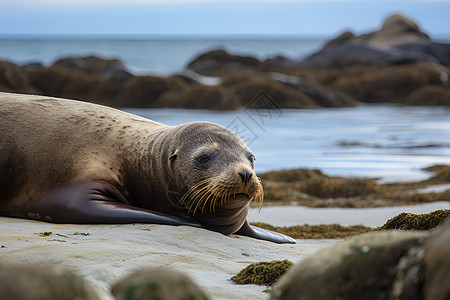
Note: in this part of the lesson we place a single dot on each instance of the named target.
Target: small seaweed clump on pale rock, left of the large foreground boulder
(262, 273)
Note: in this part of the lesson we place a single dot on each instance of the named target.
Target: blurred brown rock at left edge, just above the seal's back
(13, 79)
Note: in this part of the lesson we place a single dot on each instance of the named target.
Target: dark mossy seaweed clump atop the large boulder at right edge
(409, 221)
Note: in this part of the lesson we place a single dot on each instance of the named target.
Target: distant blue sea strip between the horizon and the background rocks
(159, 56)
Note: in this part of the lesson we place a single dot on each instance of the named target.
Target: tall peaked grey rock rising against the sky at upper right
(399, 41)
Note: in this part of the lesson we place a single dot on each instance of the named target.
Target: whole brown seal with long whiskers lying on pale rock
(66, 161)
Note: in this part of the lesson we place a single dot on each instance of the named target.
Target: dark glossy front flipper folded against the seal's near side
(99, 203)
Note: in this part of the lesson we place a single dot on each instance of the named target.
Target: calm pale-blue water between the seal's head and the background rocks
(396, 141)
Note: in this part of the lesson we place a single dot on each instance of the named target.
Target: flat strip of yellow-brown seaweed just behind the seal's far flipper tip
(334, 231)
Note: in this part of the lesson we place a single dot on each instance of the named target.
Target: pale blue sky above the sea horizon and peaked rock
(215, 17)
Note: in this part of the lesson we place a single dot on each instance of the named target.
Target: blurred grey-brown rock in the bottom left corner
(38, 282)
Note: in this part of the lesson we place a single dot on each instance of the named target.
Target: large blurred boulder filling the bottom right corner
(384, 265)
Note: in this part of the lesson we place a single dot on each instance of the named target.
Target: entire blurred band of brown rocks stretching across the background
(398, 63)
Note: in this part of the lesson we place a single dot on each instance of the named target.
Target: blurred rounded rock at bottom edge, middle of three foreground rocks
(158, 284)
